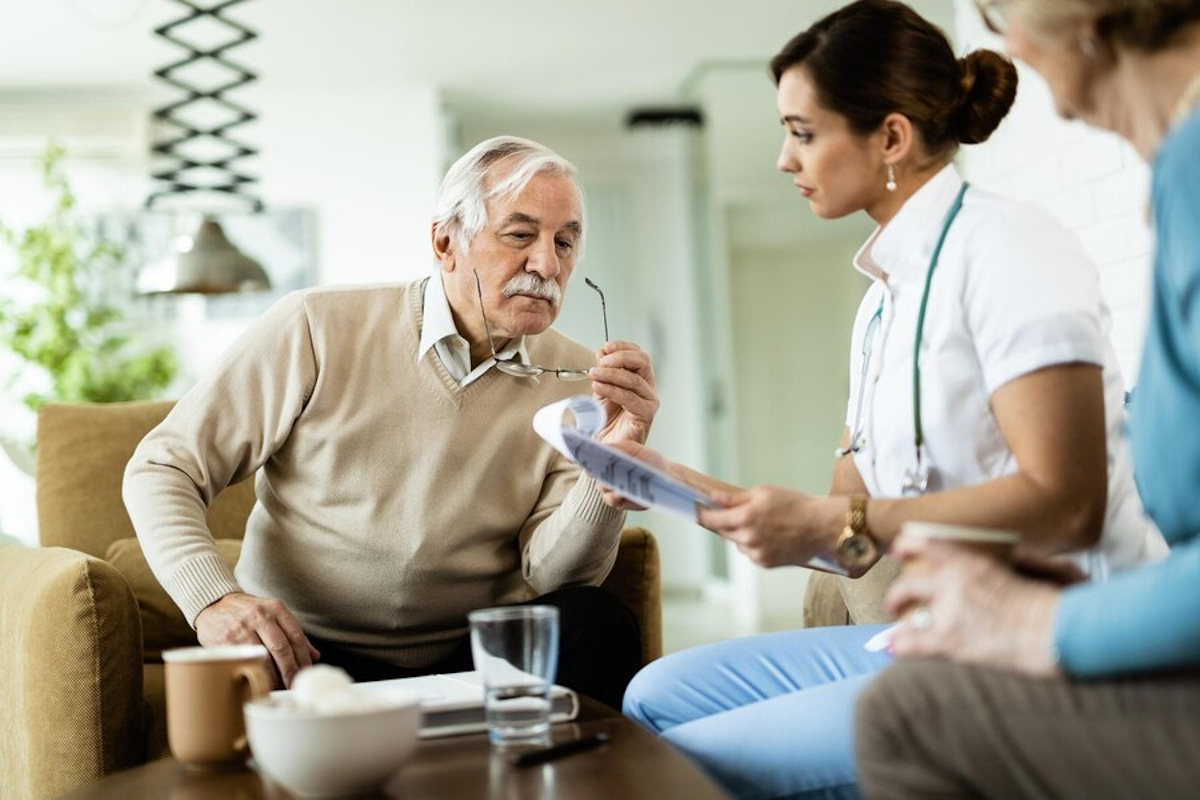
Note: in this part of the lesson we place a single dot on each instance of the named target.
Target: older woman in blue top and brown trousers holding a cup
(1090, 690)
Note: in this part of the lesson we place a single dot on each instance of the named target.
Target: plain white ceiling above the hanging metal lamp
(549, 56)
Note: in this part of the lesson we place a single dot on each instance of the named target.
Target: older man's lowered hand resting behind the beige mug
(244, 619)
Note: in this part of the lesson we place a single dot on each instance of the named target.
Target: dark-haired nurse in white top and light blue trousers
(985, 392)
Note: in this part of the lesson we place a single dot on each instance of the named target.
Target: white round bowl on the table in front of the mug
(332, 754)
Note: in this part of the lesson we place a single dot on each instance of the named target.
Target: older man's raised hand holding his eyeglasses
(623, 381)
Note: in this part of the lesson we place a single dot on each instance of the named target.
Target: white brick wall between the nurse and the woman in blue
(1093, 182)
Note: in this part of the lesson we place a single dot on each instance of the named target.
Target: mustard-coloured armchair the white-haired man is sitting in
(83, 623)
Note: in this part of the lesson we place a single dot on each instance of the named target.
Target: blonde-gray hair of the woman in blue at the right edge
(1141, 25)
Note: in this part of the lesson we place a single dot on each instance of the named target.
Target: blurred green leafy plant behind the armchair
(67, 341)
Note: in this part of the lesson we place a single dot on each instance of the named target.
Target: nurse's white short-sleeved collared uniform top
(1013, 293)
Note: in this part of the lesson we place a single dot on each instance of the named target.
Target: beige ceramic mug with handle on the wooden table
(206, 691)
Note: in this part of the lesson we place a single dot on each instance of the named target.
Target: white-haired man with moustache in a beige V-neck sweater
(400, 484)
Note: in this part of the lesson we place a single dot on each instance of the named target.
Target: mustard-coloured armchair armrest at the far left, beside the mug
(73, 672)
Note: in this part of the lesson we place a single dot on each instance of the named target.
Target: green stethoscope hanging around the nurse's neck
(916, 478)
